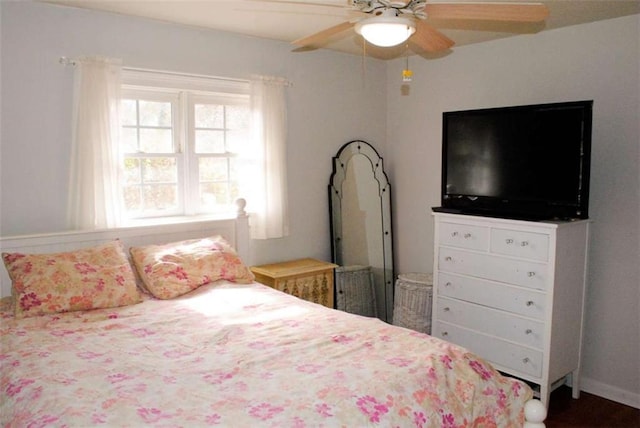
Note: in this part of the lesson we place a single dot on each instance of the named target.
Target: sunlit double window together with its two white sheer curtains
(185, 140)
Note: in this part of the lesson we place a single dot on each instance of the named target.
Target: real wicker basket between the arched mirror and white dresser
(412, 301)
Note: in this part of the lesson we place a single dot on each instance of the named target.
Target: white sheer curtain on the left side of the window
(94, 192)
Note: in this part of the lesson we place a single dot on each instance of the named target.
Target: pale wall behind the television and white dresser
(598, 61)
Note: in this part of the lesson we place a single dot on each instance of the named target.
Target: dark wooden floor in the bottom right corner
(589, 411)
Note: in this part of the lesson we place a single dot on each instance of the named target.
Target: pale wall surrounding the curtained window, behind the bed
(329, 104)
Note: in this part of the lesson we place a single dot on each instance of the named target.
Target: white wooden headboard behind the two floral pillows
(234, 230)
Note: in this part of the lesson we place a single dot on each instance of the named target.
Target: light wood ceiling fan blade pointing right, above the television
(521, 12)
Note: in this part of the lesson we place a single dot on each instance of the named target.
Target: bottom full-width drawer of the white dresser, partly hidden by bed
(499, 352)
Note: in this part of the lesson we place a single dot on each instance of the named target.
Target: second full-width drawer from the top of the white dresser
(517, 300)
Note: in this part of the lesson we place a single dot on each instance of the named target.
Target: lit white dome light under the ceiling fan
(385, 31)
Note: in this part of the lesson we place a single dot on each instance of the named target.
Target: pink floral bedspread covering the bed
(241, 355)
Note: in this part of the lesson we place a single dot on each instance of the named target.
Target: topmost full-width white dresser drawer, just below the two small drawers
(518, 272)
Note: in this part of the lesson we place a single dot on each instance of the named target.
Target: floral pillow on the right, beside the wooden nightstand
(171, 270)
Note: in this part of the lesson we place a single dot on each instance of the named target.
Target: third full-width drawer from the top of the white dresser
(491, 321)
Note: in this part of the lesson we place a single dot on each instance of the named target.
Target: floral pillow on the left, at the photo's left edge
(91, 278)
